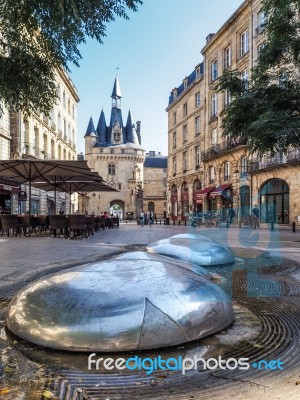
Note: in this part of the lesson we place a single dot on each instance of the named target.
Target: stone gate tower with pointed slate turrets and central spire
(115, 152)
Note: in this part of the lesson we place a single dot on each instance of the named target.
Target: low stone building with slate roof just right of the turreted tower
(155, 184)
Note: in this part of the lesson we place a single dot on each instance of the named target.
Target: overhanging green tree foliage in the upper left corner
(38, 36)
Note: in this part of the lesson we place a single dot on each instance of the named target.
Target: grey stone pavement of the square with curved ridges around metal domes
(265, 292)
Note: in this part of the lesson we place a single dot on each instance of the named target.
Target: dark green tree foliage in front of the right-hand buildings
(266, 110)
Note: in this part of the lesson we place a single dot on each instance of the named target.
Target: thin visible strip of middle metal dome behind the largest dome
(142, 255)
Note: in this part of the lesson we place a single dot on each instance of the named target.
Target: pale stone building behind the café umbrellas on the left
(42, 137)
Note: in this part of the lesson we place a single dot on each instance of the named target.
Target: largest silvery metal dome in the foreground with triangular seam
(119, 305)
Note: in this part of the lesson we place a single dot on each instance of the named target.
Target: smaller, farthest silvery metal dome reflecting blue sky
(189, 248)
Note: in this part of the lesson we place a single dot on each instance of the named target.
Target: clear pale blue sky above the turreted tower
(154, 51)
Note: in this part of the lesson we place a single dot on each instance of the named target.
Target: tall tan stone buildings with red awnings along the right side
(207, 171)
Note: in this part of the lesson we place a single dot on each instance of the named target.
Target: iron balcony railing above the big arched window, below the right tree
(268, 162)
